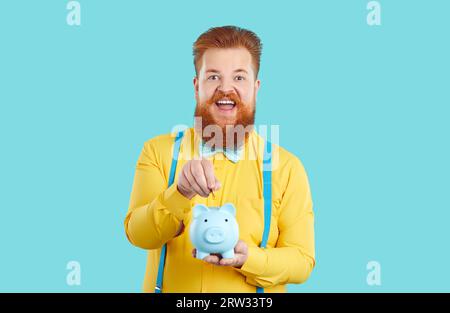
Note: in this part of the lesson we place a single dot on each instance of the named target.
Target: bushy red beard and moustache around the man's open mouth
(224, 132)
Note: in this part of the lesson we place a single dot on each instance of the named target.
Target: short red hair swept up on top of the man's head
(228, 37)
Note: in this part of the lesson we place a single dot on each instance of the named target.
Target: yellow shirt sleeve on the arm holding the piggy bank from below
(293, 257)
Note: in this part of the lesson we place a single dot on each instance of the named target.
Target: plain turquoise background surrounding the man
(365, 108)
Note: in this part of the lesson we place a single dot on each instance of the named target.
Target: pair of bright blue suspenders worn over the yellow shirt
(267, 192)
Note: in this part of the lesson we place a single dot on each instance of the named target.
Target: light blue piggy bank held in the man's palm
(214, 230)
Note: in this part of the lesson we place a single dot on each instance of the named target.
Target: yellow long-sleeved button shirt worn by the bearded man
(156, 211)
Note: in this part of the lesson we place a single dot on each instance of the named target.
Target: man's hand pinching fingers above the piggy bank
(197, 178)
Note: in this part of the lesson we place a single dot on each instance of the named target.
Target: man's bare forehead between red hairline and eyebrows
(228, 59)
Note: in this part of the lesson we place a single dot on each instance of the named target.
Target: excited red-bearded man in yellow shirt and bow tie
(216, 169)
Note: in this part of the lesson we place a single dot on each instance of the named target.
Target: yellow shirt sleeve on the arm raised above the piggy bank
(155, 211)
